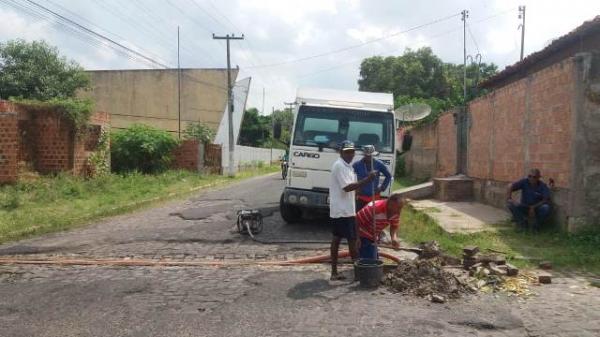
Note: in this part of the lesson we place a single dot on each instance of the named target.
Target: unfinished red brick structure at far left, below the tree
(45, 141)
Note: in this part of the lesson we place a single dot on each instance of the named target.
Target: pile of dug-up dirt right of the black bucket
(425, 278)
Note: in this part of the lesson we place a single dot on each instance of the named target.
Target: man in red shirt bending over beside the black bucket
(387, 214)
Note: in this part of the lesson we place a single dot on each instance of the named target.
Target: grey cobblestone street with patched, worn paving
(248, 300)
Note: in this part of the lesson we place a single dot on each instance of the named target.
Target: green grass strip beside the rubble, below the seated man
(579, 252)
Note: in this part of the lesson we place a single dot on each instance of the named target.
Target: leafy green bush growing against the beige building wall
(141, 148)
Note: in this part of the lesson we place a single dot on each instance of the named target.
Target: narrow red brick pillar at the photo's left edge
(8, 145)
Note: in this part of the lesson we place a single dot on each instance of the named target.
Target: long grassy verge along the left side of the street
(61, 202)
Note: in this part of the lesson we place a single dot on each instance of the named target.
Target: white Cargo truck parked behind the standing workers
(322, 119)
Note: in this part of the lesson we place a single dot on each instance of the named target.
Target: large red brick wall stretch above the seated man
(524, 125)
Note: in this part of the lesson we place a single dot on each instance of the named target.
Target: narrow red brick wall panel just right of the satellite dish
(446, 140)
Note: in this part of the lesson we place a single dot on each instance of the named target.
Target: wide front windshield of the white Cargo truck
(327, 127)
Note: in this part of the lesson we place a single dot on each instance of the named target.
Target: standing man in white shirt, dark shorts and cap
(342, 204)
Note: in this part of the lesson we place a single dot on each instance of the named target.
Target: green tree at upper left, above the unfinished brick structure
(35, 70)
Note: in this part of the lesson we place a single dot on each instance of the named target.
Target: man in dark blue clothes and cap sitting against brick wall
(535, 201)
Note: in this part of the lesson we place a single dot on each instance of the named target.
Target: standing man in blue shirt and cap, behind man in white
(362, 169)
